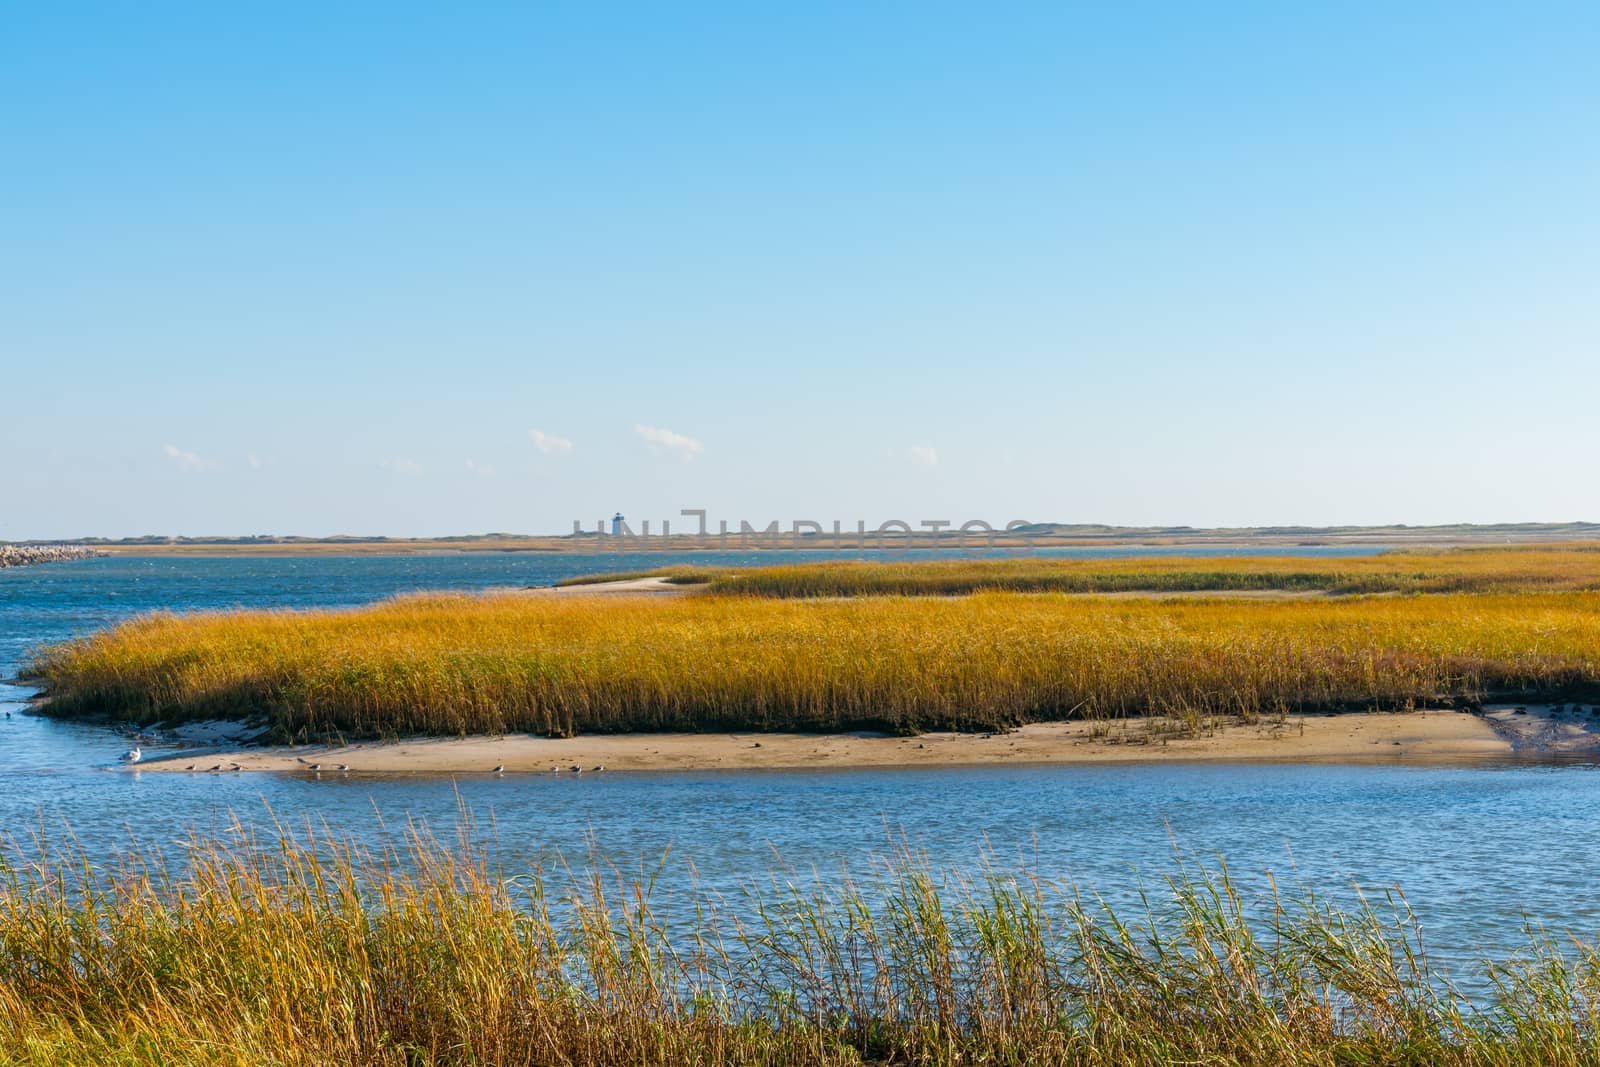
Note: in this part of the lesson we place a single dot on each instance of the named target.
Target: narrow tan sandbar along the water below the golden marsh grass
(1422, 737)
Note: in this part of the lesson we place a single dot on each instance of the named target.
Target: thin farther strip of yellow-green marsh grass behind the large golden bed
(1566, 569)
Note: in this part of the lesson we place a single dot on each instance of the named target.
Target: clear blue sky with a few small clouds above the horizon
(423, 270)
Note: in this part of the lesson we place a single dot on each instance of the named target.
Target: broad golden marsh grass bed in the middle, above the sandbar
(482, 665)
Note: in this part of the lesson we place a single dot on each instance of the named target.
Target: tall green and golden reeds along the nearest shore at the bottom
(282, 953)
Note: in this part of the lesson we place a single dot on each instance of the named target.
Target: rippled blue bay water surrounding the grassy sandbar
(1476, 849)
